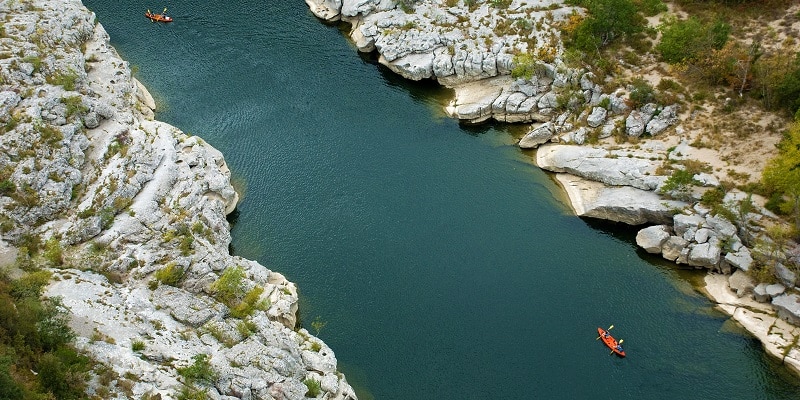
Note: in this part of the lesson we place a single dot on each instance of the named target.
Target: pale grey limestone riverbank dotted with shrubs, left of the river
(129, 214)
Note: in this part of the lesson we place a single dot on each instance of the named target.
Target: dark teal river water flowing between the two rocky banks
(439, 262)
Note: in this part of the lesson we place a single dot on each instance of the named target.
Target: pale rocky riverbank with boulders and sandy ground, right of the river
(612, 156)
